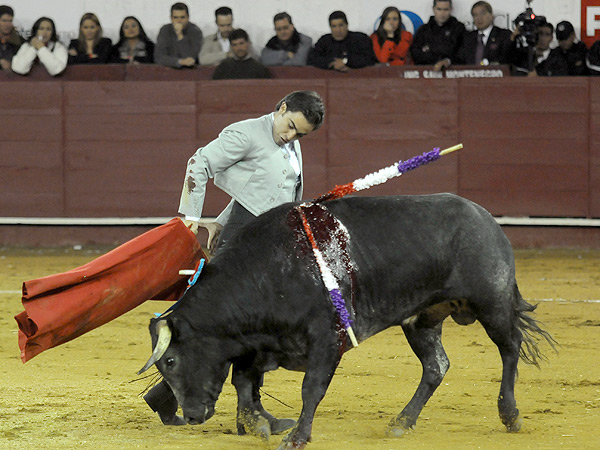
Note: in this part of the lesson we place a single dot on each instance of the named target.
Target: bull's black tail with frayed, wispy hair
(531, 331)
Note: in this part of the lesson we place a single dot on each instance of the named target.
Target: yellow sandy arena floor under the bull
(83, 395)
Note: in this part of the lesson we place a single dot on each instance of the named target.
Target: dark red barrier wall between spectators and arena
(114, 141)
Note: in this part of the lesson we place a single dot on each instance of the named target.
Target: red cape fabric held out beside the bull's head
(61, 307)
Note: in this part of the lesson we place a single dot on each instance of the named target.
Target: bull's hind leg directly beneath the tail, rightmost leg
(505, 334)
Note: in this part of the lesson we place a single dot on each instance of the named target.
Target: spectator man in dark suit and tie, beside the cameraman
(488, 44)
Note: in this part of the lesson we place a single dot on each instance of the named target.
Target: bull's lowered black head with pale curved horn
(191, 365)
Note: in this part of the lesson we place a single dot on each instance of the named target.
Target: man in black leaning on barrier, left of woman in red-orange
(342, 49)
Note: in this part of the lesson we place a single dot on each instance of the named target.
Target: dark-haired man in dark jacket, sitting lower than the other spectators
(241, 64)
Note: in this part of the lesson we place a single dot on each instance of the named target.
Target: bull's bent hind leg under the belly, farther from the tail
(426, 342)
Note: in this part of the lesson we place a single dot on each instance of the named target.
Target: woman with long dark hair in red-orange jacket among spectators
(390, 42)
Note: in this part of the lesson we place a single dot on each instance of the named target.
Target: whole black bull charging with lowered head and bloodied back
(261, 304)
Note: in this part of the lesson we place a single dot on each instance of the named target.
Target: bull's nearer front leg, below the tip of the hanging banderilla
(320, 370)
